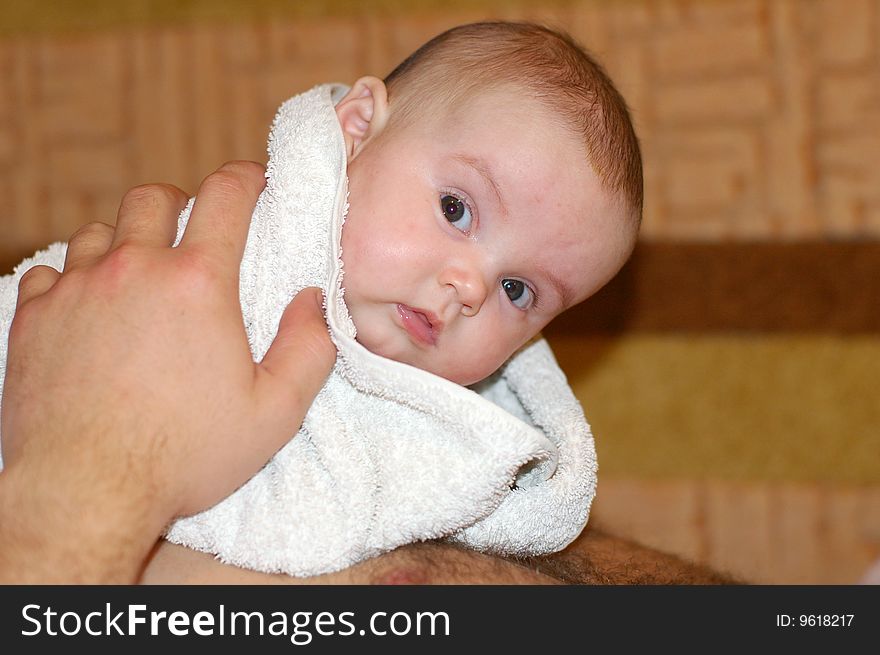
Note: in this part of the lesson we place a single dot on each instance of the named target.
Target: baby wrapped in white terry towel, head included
(494, 181)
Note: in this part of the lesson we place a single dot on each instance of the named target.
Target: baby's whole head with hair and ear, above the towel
(495, 181)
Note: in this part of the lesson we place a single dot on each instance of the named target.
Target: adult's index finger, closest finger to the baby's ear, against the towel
(219, 222)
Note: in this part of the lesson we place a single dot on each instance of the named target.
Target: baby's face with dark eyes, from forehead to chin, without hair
(468, 232)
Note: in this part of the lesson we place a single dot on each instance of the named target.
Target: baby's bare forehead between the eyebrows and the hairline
(564, 216)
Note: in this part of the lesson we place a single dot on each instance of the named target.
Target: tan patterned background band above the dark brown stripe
(759, 119)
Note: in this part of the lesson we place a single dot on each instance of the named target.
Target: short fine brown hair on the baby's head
(548, 65)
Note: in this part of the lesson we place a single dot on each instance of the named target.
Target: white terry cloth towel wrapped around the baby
(388, 454)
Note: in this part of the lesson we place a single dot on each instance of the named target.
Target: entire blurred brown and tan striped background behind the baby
(731, 373)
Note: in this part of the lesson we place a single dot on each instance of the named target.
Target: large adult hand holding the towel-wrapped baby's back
(131, 396)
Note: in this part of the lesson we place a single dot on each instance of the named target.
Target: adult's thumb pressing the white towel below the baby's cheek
(297, 364)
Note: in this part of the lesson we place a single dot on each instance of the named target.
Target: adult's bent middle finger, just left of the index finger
(148, 215)
